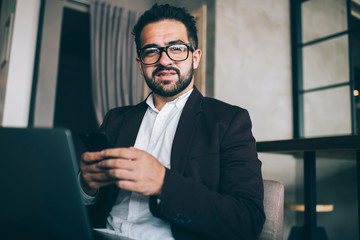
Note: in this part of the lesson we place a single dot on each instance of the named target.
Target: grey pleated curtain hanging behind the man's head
(116, 79)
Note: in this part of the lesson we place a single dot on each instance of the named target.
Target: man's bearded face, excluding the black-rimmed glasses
(168, 78)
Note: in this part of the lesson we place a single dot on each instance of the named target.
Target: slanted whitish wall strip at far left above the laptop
(21, 64)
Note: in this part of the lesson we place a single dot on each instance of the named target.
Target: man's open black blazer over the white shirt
(214, 188)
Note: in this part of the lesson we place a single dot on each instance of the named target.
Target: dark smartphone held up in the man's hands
(96, 141)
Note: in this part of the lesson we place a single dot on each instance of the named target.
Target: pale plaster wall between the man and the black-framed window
(253, 70)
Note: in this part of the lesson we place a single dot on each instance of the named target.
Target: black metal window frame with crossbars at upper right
(297, 46)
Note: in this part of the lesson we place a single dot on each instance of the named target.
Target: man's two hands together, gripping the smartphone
(130, 168)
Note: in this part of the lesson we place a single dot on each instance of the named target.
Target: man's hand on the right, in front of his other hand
(134, 170)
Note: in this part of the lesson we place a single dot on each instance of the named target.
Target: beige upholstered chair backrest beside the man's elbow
(274, 210)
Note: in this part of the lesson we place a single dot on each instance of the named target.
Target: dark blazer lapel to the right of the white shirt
(184, 132)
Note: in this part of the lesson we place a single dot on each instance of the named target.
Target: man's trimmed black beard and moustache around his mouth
(180, 85)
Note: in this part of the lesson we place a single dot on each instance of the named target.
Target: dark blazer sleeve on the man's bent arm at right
(234, 210)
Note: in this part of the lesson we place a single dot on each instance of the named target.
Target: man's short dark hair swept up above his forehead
(163, 12)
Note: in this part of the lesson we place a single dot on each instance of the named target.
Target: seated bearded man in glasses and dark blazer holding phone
(193, 171)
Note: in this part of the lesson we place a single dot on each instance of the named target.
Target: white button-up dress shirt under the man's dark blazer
(130, 215)
